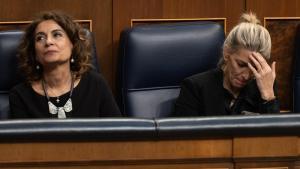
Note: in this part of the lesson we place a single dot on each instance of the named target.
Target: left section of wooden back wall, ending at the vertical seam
(100, 12)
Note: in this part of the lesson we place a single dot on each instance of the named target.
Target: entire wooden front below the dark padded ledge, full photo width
(275, 152)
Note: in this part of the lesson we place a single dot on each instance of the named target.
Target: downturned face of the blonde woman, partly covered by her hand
(237, 72)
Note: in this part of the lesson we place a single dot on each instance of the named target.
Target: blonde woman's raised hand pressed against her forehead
(264, 75)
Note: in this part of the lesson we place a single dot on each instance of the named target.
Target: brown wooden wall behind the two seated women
(110, 17)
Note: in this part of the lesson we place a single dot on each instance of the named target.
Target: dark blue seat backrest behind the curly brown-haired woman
(9, 77)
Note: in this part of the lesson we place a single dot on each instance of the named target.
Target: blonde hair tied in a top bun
(250, 35)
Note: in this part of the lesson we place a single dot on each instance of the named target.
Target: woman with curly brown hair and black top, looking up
(54, 56)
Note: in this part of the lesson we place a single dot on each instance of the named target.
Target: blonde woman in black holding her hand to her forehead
(244, 81)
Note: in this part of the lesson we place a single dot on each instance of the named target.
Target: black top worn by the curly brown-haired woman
(90, 98)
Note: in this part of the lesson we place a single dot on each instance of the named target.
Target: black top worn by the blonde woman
(204, 95)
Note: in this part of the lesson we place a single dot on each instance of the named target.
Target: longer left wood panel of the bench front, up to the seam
(133, 154)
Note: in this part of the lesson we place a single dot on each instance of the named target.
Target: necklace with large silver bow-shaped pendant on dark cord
(60, 111)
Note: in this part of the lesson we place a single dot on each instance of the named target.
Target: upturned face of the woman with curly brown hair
(52, 44)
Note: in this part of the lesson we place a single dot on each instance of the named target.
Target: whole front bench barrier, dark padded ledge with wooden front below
(257, 141)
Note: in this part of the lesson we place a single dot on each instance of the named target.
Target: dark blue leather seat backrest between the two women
(154, 59)
